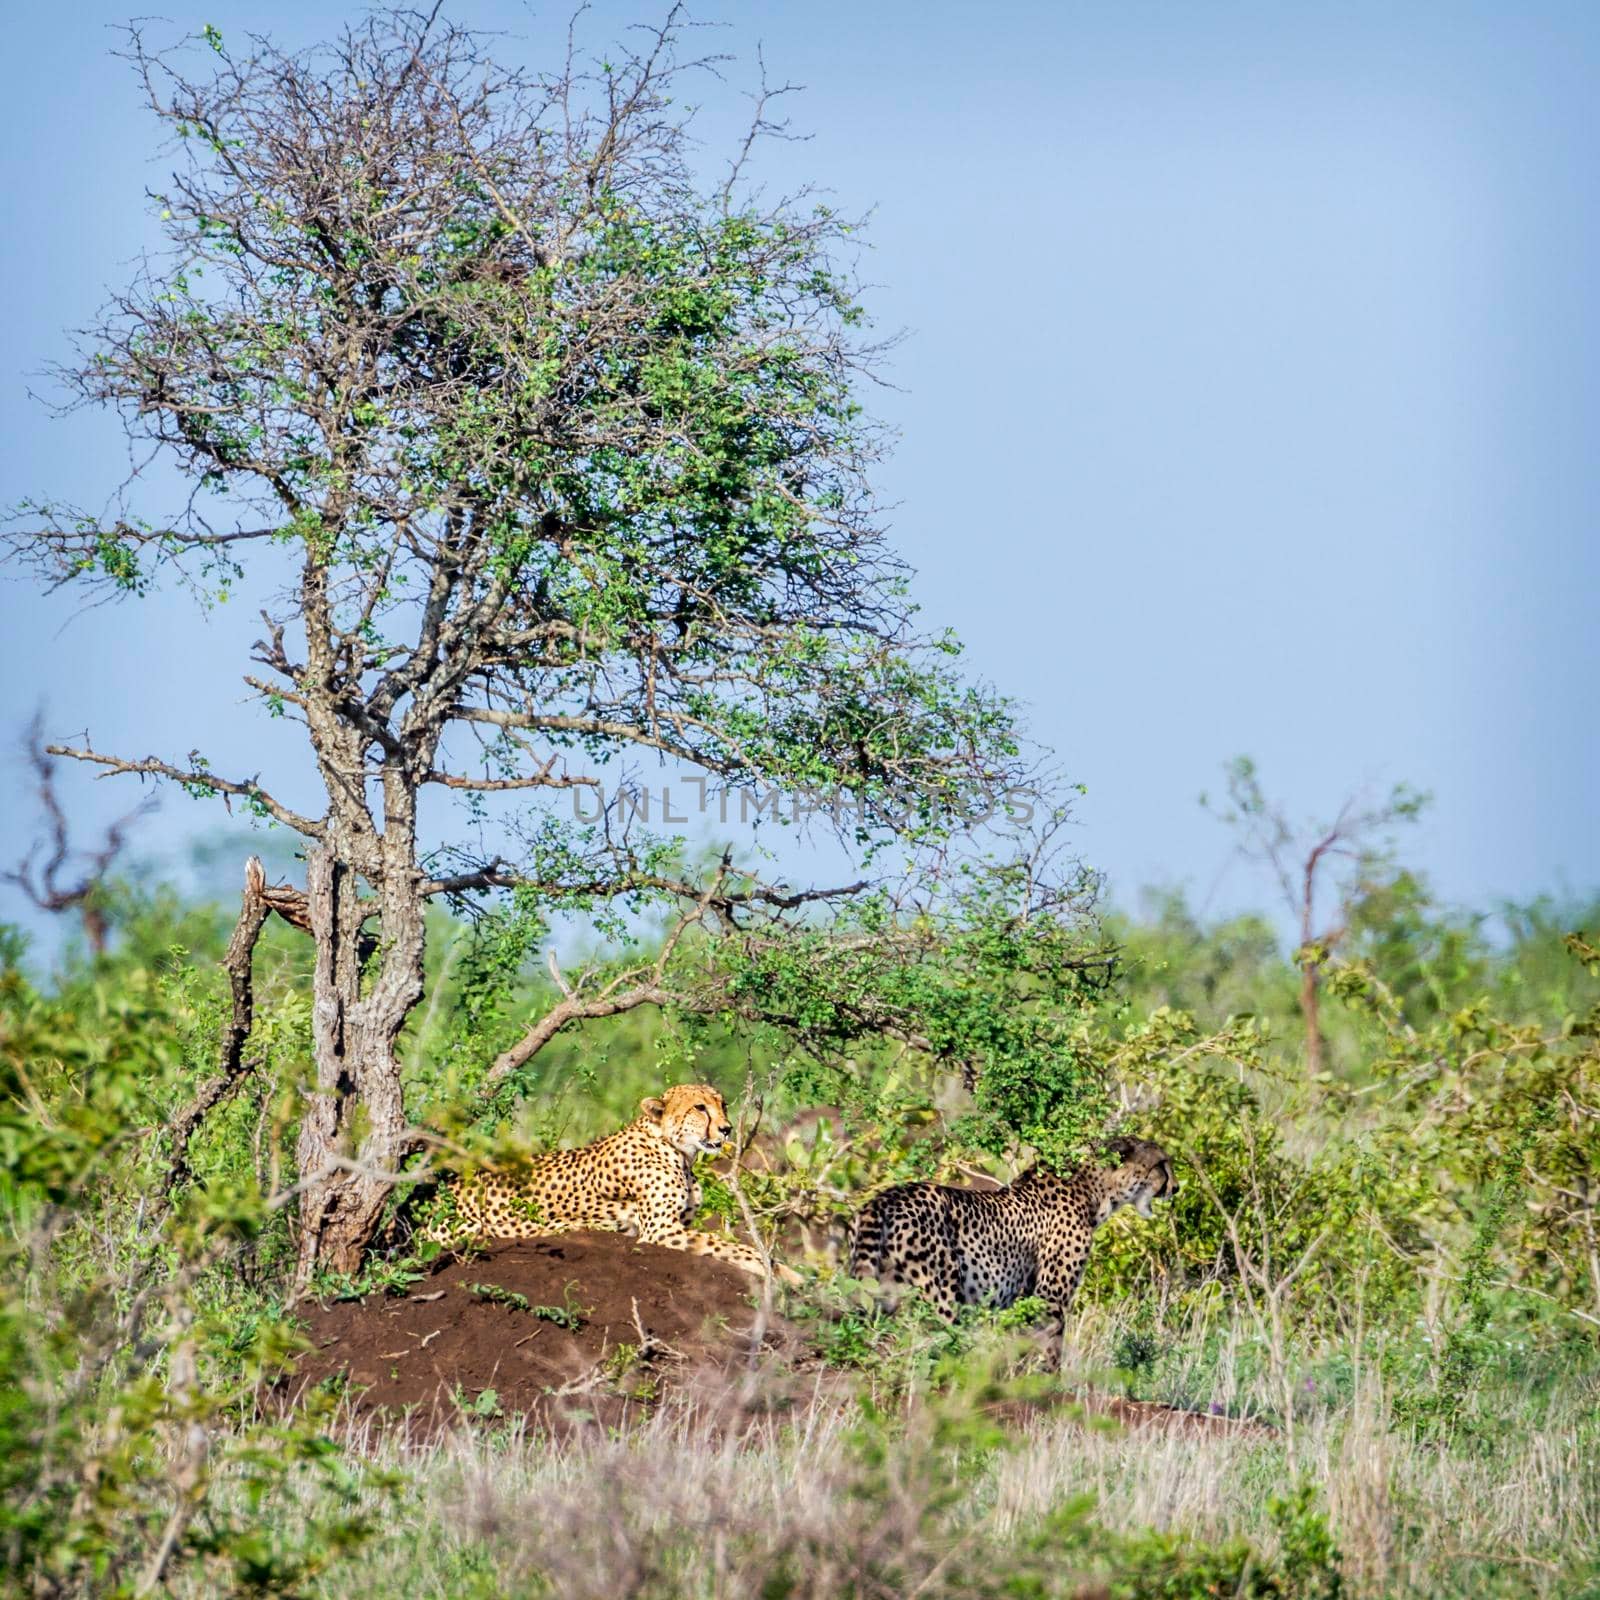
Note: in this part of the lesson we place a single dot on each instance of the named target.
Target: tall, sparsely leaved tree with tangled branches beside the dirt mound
(558, 452)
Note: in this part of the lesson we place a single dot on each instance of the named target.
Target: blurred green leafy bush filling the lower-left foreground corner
(129, 1399)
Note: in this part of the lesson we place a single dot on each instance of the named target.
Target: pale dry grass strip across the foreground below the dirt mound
(719, 1497)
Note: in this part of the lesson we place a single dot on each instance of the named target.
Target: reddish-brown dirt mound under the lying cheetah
(577, 1329)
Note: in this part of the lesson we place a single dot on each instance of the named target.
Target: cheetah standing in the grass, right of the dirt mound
(970, 1247)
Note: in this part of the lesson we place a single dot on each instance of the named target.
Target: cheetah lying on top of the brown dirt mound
(639, 1180)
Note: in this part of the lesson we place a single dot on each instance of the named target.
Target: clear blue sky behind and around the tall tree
(1250, 398)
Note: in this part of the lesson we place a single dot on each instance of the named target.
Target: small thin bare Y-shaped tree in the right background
(1313, 865)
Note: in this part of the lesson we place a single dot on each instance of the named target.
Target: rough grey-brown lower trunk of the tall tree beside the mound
(354, 1134)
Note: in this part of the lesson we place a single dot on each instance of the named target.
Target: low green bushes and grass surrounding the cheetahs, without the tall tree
(1388, 1274)
